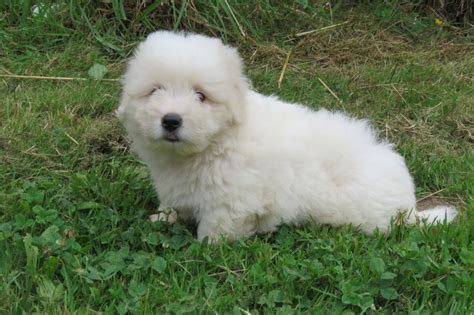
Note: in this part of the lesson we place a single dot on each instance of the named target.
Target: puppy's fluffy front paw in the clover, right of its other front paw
(218, 225)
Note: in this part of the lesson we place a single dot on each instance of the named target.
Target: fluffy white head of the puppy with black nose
(181, 91)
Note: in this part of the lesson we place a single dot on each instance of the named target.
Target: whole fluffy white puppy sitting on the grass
(240, 163)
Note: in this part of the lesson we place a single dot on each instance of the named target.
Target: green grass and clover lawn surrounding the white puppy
(74, 201)
